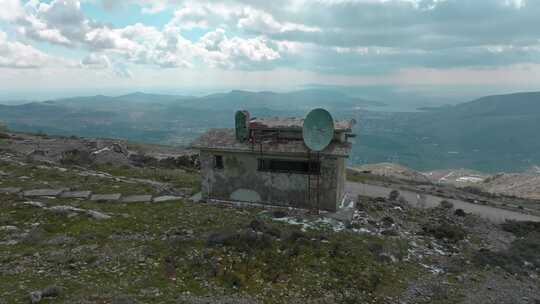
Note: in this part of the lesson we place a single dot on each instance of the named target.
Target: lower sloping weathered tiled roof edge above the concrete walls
(225, 140)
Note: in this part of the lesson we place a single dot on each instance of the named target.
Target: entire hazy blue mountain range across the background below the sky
(488, 134)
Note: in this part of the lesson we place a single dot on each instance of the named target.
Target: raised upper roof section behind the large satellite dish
(295, 123)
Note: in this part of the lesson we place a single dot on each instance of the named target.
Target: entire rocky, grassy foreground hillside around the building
(118, 223)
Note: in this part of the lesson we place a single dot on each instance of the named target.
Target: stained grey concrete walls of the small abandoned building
(240, 180)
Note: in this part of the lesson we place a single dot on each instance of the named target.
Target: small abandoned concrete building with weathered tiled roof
(266, 160)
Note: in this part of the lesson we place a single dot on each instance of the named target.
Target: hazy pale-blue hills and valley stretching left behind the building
(167, 119)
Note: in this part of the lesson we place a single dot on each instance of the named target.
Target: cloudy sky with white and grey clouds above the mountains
(102, 46)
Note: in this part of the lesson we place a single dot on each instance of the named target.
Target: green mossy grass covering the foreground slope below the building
(127, 256)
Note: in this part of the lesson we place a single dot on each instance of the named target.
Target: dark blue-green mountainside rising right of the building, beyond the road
(493, 133)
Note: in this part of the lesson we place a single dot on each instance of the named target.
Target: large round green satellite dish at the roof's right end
(318, 129)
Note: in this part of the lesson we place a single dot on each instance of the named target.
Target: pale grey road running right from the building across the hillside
(427, 201)
